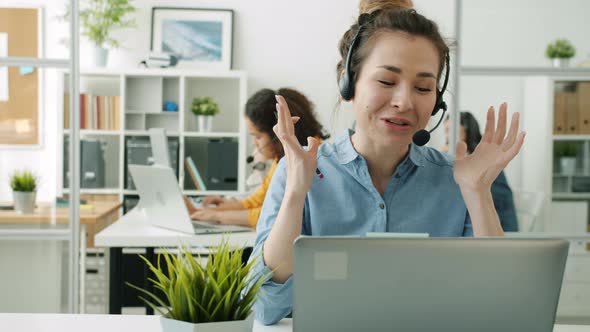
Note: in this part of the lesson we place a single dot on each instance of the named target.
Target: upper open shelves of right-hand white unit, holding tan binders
(543, 168)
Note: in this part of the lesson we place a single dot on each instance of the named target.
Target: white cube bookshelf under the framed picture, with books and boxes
(122, 105)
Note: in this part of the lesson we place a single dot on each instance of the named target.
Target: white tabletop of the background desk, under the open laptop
(133, 230)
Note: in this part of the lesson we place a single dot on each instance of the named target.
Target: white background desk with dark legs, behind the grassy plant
(133, 230)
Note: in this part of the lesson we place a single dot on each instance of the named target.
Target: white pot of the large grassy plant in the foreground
(171, 325)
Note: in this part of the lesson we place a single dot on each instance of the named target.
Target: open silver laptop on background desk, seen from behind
(162, 201)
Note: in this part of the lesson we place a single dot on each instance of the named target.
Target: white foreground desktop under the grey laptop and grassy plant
(126, 323)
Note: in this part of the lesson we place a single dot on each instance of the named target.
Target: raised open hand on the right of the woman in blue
(477, 171)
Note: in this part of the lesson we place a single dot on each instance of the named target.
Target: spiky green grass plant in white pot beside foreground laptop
(214, 296)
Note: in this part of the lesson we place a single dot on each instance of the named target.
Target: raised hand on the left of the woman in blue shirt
(301, 164)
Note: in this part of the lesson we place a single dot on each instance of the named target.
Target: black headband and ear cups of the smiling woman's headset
(346, 83)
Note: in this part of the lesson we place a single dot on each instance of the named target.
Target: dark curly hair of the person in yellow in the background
(260, 109)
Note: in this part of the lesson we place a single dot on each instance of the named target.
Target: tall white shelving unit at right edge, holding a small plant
(541, 172)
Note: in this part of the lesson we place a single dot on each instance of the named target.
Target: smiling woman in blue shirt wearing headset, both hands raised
(375, 179)
